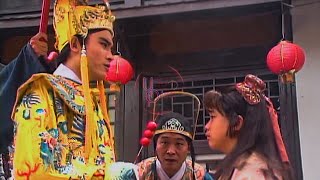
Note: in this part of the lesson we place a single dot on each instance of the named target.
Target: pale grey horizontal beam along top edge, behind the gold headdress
(130, 9)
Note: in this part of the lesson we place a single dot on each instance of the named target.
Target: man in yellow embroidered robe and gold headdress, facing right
(62, 130)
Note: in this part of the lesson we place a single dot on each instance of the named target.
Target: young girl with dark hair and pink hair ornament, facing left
(243, 124)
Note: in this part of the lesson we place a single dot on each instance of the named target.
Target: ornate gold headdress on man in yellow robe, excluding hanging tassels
(74, 18)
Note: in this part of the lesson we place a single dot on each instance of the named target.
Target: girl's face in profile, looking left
(216, 132)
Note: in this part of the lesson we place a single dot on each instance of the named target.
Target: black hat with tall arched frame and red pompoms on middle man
(167, 119)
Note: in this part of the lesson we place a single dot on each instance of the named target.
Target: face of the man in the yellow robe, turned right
(99, 54)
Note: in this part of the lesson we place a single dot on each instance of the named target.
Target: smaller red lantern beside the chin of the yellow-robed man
(120, 71)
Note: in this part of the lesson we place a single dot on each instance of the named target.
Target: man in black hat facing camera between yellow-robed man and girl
(172, 142)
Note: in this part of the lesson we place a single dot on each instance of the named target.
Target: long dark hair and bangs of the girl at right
(256, 134)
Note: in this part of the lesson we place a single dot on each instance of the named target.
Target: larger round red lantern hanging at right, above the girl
(285, 58)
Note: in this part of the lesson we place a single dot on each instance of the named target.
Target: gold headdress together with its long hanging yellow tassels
(72, 17)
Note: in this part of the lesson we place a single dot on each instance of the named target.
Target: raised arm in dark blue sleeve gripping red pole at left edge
(12, 76)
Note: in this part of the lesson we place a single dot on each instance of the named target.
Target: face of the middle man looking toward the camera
(172, 150)
